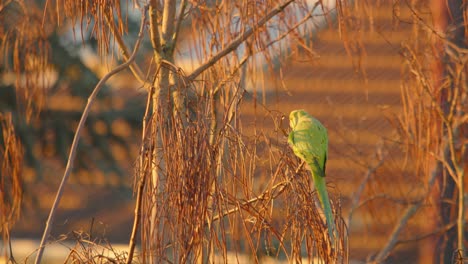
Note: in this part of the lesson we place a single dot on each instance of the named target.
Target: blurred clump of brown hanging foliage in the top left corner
(25, 49)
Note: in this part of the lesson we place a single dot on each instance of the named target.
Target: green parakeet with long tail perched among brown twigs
(309, 141)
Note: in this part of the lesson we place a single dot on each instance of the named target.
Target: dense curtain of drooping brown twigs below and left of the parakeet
(239, 192)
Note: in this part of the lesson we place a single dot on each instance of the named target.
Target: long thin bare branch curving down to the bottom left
(76, 139)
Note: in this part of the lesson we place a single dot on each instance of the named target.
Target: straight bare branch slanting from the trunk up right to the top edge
(238, 40)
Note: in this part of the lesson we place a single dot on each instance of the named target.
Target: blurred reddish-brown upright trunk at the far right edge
(447, 22)
